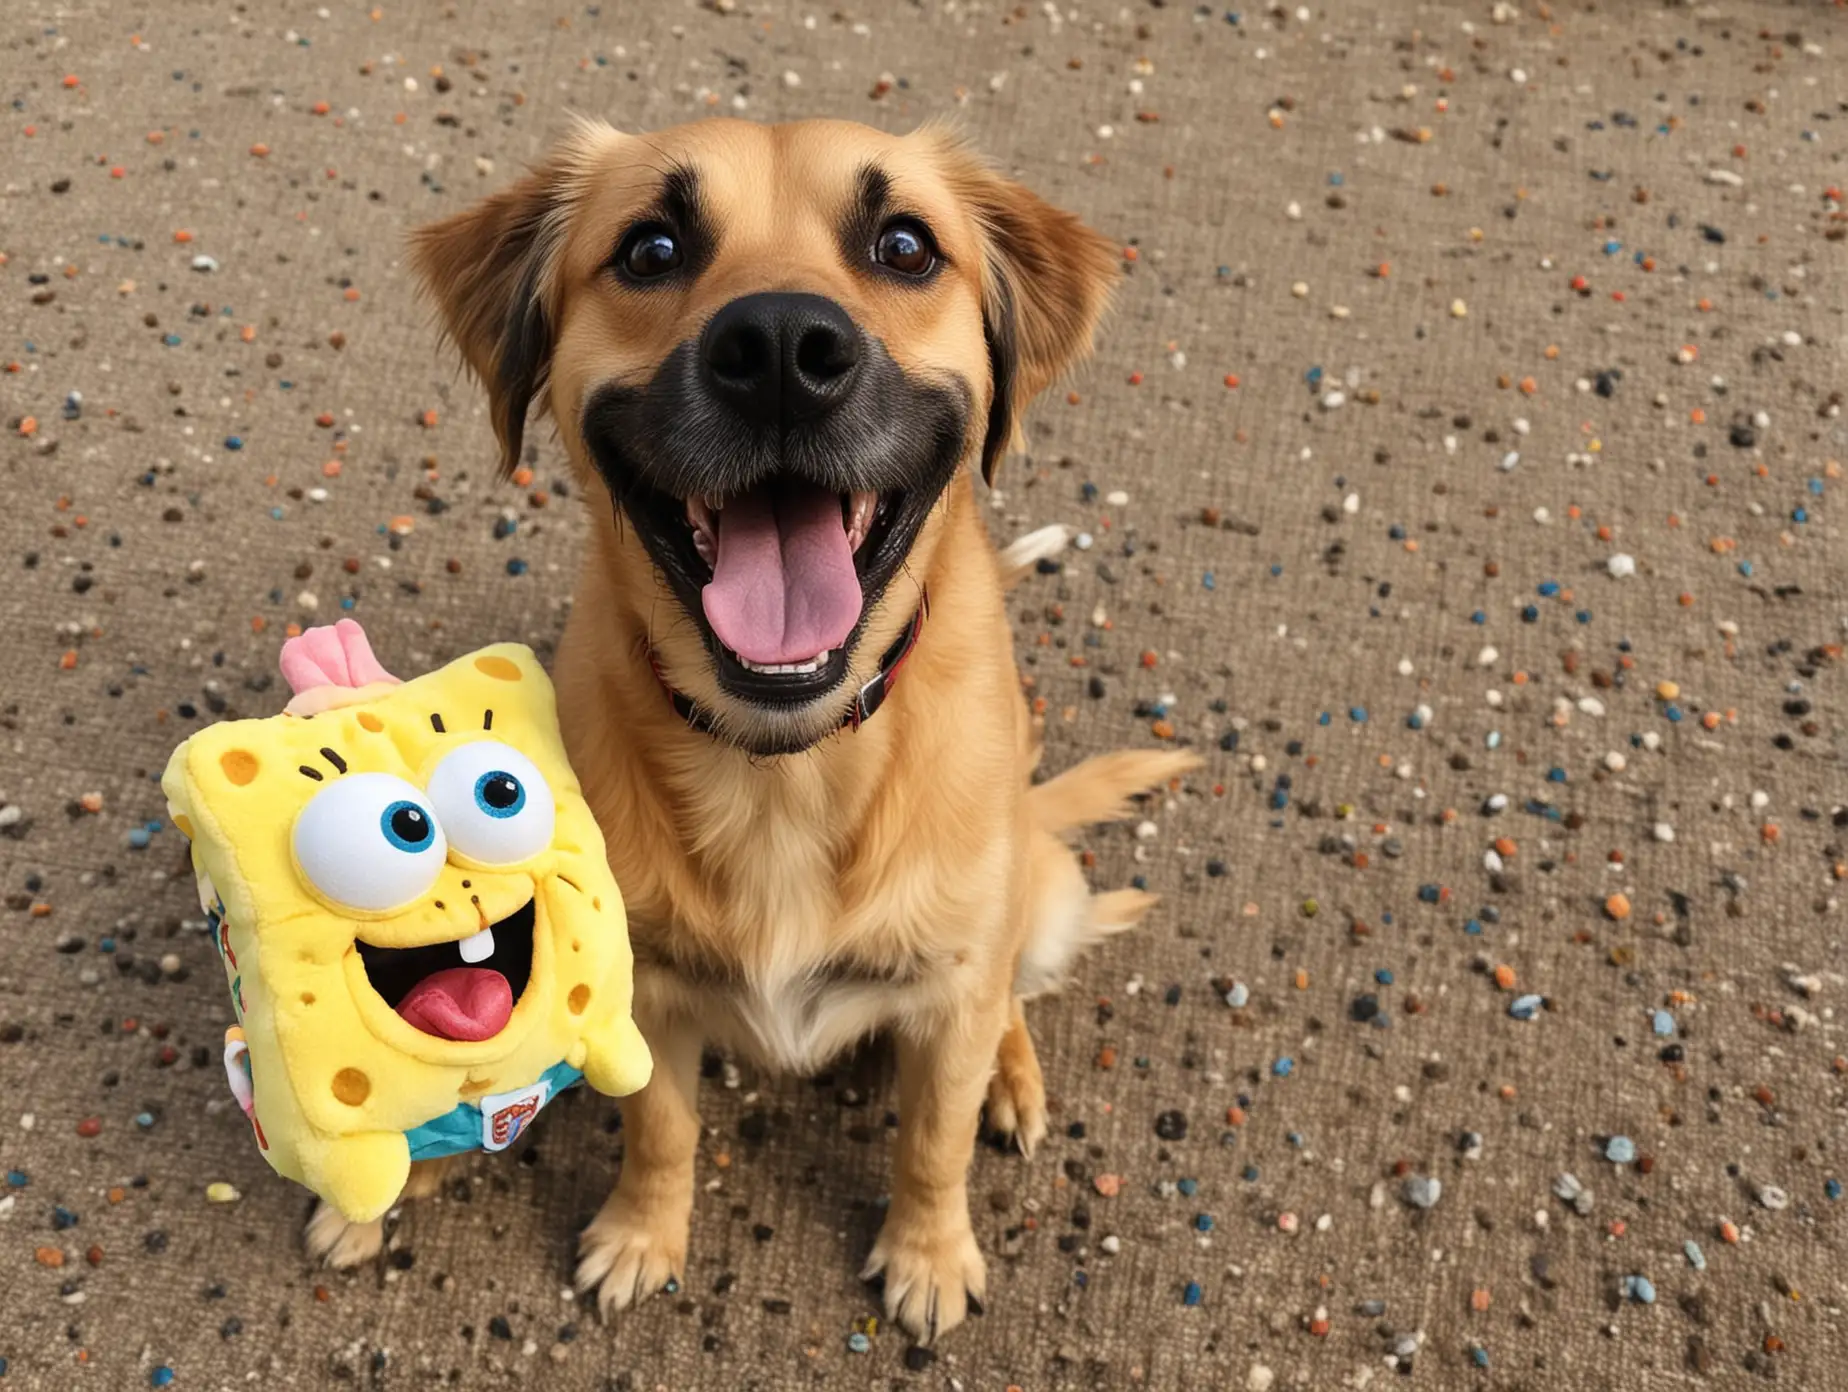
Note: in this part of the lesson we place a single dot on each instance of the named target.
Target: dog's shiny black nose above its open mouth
(781, 360)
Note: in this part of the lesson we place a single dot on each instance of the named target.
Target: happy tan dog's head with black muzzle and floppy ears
(773, 347)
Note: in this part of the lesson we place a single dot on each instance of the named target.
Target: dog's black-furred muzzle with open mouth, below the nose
(777, 524)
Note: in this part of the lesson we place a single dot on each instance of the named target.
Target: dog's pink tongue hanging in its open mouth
(783, 587)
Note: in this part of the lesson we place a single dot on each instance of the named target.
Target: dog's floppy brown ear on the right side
(1045, 287)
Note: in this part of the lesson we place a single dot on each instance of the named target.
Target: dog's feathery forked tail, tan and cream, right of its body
(1067, 918)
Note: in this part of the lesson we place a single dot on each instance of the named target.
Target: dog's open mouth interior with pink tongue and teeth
(784, 574)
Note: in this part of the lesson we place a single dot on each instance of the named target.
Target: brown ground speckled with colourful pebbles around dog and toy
(1437, 323)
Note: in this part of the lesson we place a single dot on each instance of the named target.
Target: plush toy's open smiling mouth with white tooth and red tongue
(463, 990)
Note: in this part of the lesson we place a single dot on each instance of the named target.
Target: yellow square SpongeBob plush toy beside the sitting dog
(415, 912)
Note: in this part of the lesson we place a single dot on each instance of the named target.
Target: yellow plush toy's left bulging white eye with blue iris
(371, 842)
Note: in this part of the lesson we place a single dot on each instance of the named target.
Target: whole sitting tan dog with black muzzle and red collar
(779, 358)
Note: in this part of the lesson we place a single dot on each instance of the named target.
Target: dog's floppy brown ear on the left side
(491, 271)
